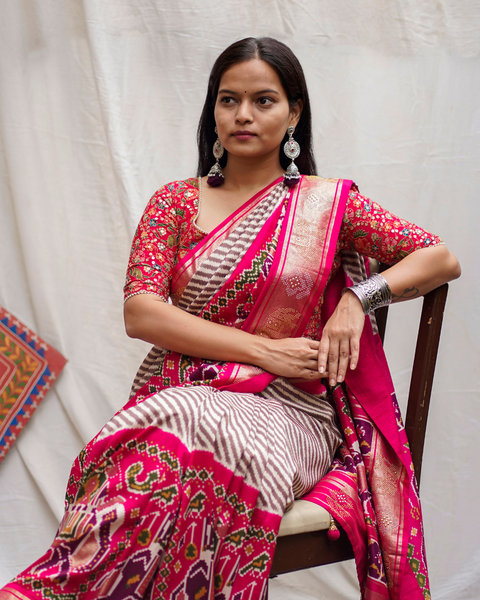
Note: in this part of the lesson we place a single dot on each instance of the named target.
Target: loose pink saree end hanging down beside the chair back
(371, 488)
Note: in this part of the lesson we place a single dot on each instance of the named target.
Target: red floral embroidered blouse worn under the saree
(167, 232)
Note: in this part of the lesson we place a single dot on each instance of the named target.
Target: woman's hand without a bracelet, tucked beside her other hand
(290, 357)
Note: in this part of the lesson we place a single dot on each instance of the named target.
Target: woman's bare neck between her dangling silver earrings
(243, 173)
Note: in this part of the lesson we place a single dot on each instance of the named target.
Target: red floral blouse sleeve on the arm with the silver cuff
(372, 231)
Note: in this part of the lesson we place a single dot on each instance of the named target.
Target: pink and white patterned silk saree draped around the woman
(181, 494)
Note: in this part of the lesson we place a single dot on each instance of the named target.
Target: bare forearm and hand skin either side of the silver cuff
(416, 275)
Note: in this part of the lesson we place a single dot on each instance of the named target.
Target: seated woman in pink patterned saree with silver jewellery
(232, 413)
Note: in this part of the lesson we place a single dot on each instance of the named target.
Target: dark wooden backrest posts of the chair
(423, 369)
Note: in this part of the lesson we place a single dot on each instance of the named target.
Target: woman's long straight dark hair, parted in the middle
(284, 62)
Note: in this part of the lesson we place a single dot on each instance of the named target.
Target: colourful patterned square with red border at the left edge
(28, 368)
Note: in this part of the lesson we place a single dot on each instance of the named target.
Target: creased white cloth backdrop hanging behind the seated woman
(99, 103)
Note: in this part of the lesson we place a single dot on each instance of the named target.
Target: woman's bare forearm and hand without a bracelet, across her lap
(149, 318)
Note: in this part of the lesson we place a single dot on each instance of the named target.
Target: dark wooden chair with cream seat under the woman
(303, 540)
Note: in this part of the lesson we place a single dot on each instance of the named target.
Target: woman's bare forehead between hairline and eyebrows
(251, 77)
